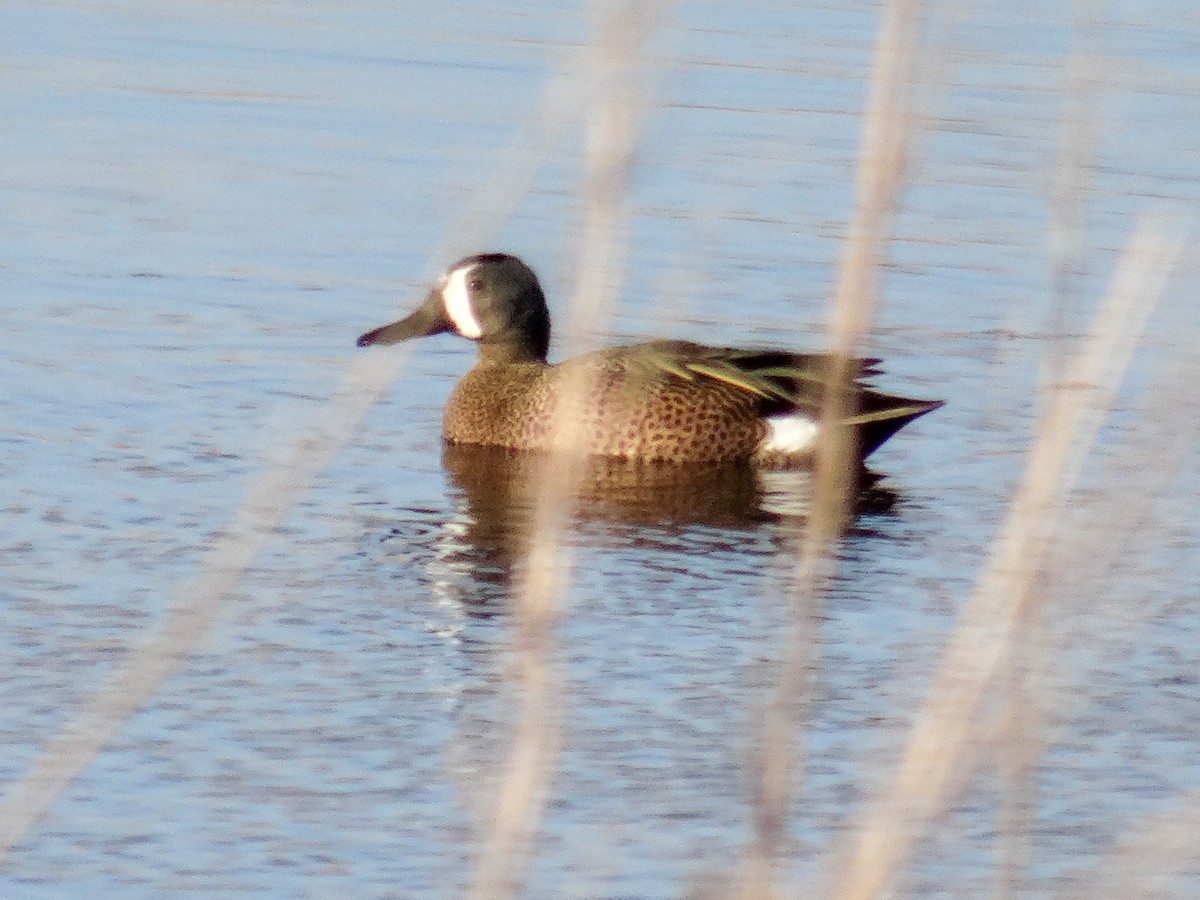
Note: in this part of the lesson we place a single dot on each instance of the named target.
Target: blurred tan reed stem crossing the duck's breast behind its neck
(611, 139)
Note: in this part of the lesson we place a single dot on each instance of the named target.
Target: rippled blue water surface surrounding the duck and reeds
(205, 205)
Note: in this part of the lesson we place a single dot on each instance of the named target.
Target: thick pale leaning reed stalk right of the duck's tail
(943, 734)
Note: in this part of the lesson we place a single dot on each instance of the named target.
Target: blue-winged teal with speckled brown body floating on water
(670, 401)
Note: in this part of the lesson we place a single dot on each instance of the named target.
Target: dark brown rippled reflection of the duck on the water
(471, 555)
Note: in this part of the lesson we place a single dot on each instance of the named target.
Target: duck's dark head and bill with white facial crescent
(494, 299)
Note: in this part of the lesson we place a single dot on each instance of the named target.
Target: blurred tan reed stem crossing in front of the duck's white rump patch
(881, 177)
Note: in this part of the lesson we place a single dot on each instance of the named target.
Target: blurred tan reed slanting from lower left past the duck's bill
(200, 602)
